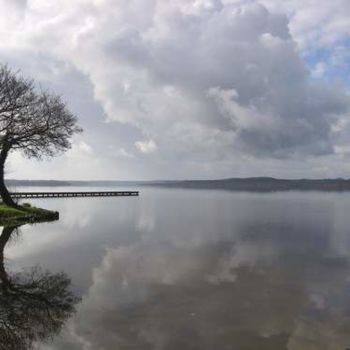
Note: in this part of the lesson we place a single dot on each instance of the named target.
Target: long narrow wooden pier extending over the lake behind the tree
(17, 195)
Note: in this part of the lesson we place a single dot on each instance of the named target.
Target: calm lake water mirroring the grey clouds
(183, 269)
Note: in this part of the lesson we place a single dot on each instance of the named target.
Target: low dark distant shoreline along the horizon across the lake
(253, 184)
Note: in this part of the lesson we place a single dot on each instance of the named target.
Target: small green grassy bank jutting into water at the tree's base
(24, 214)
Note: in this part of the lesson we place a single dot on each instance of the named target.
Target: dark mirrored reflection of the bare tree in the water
(34, 304)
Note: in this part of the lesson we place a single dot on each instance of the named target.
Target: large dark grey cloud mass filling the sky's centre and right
(160, 74)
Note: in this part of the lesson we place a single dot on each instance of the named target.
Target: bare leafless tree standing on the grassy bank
(33, 121)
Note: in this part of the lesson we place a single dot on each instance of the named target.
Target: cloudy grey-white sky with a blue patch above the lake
(178, 89)
